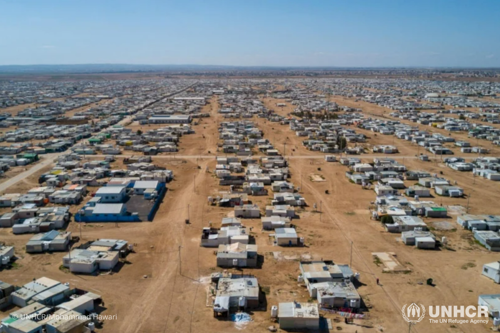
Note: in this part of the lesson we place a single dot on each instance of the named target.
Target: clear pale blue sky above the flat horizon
(252, 32)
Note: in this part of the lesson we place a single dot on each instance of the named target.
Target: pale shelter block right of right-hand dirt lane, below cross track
(403, 213)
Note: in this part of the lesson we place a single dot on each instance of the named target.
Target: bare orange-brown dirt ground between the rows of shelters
(163, 286)
